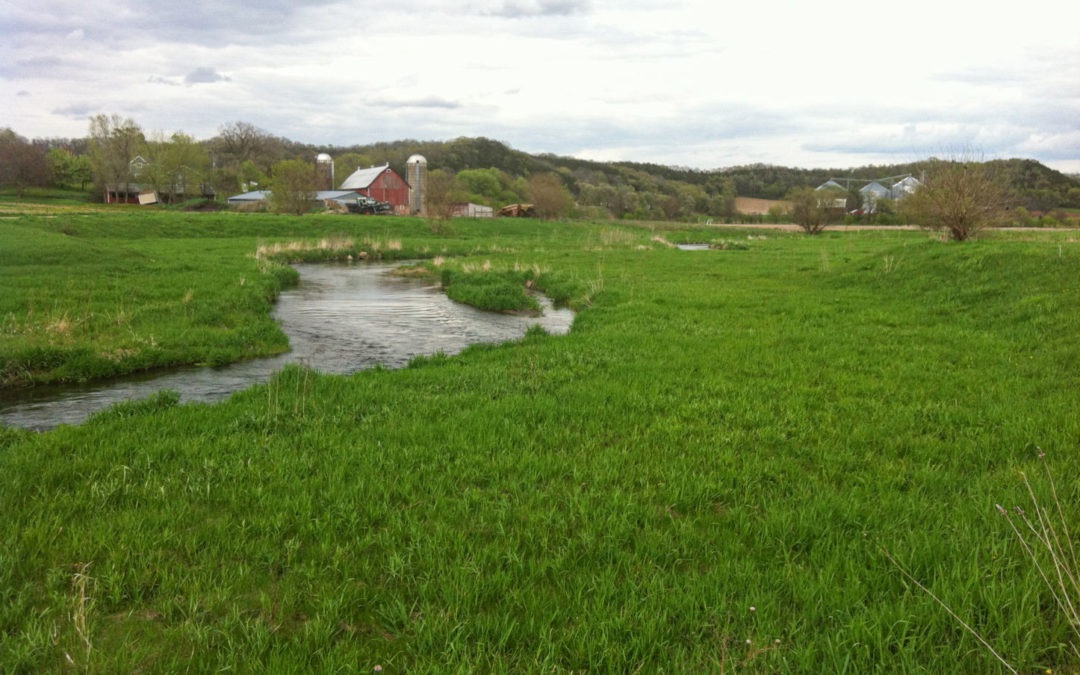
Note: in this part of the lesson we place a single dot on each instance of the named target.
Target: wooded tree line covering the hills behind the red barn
(242, 157)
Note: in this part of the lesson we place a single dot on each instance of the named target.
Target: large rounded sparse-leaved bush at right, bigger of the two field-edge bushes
(961, 198)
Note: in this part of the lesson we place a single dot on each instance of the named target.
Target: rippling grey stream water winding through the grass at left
(339, 320)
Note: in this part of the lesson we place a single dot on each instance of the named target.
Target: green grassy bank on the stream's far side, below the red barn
(100, 294)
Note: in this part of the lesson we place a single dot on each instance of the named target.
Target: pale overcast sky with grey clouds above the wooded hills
(703, 85)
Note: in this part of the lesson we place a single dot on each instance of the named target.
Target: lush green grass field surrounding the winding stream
(699, 478)
